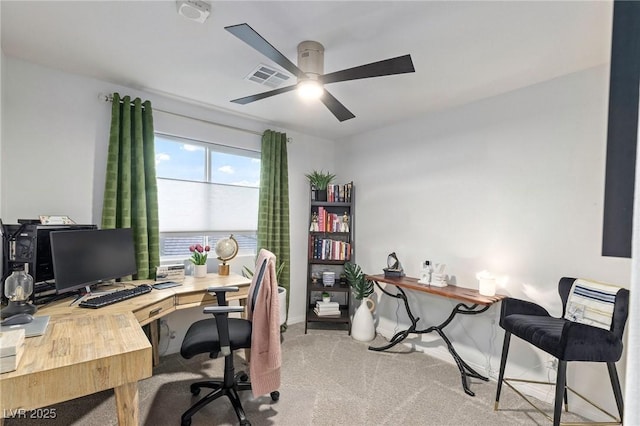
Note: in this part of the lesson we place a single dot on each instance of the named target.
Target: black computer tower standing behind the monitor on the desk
(28, 243)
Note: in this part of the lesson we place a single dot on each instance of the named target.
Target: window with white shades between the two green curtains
(205, 192)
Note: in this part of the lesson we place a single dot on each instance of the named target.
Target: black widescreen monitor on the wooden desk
(86, 257)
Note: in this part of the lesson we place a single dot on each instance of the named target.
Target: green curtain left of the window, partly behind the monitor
(131, 192)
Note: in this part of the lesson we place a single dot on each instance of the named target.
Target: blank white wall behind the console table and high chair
(513, 184)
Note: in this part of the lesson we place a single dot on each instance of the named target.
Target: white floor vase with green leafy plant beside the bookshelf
(362, 326)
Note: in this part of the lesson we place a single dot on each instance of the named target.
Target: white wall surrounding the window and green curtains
(54, 151)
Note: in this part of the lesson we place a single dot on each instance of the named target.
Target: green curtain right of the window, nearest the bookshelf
(273, 207)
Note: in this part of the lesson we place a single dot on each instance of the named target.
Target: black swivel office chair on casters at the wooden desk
(225, 335)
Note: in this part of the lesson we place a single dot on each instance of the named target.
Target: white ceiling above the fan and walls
(462, 51)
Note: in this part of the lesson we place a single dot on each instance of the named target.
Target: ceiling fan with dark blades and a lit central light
(310, 70)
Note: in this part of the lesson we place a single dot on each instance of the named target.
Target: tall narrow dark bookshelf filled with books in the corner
(330, 246)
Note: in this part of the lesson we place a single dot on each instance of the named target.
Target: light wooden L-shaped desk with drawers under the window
(85, 351)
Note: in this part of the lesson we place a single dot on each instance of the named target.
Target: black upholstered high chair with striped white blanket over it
(567, 339)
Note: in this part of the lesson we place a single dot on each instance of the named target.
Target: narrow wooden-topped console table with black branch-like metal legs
(471, 303)
